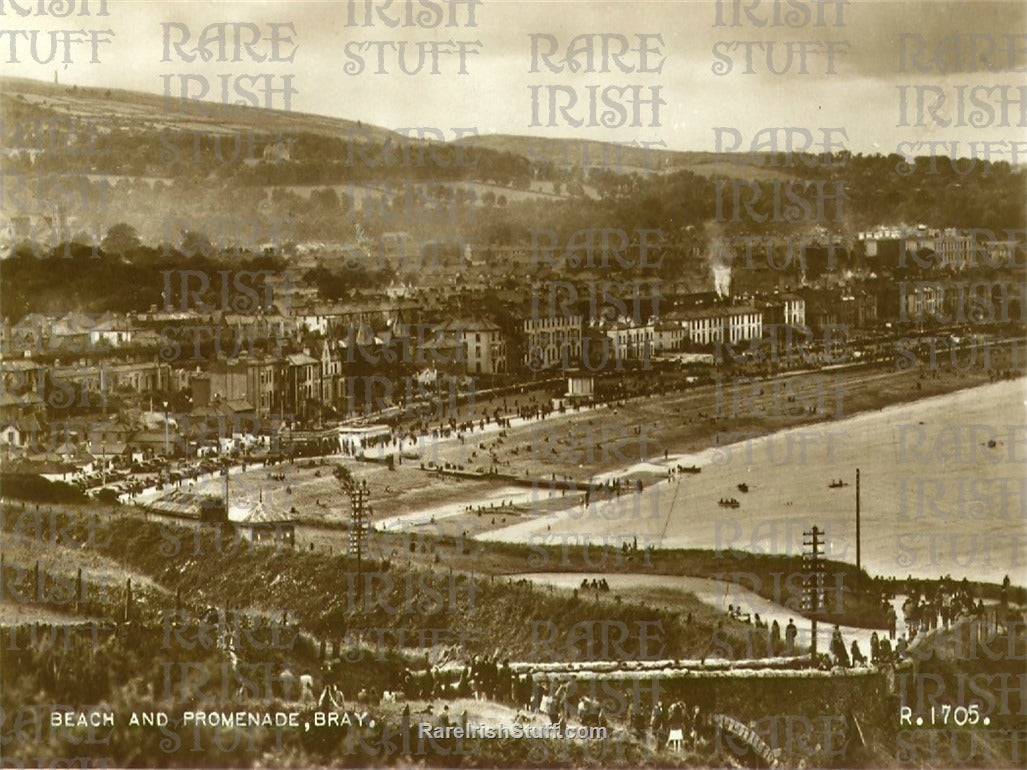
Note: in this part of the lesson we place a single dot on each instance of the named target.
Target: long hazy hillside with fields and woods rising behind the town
(83, 161)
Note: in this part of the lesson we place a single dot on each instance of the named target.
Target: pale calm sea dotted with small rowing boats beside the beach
(943, 492)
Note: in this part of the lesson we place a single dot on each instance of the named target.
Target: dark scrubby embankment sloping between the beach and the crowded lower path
(321, 593)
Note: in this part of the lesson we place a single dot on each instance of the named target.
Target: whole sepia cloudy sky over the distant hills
(695, 63)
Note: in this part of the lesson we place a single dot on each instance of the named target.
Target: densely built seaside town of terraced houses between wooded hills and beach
(258, 363)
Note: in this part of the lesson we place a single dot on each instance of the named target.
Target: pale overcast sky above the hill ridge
(496, 96)
